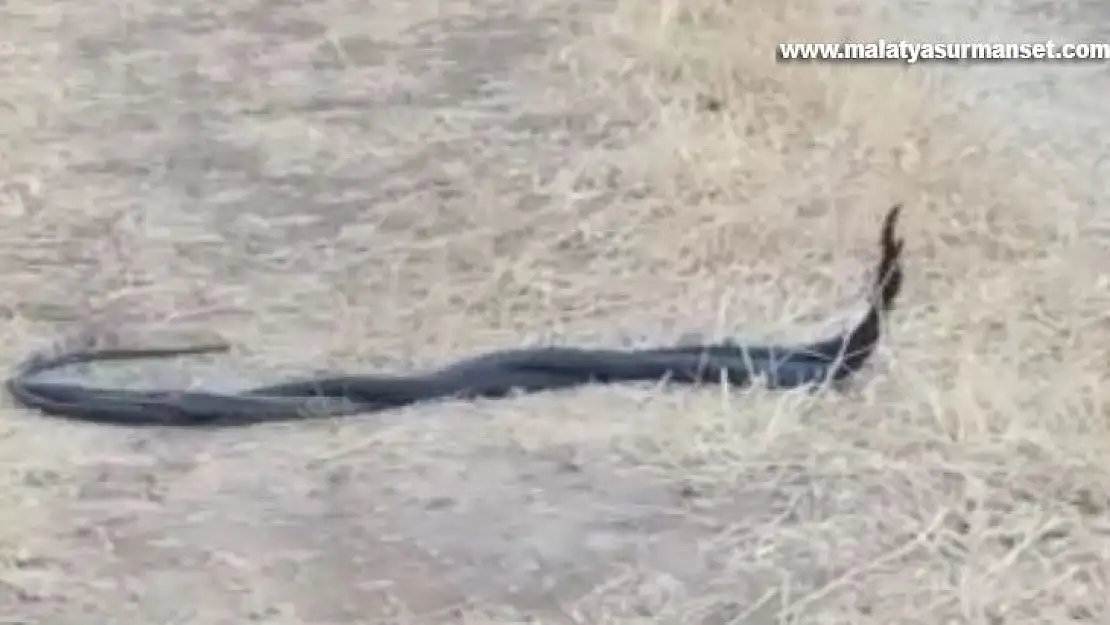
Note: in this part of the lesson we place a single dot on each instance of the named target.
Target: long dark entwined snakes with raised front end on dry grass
(496, 375)
